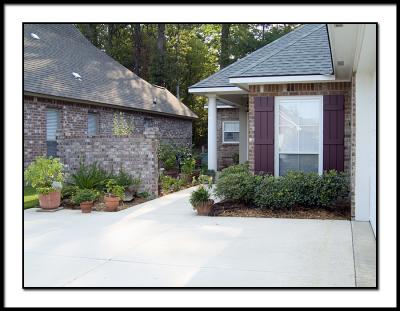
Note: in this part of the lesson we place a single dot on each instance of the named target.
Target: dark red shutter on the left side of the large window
(264, 134)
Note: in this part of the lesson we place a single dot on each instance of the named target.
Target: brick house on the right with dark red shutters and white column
(306, 101)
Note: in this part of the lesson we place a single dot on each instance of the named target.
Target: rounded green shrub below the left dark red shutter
(236, 183)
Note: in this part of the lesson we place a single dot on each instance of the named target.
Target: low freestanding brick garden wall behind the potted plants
(137, 155)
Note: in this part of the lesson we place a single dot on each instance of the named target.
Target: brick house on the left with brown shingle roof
(74, 90)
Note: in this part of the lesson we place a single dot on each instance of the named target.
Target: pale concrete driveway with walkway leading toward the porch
(162, 243)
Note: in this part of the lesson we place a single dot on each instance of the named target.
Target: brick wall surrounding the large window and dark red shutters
(299, 89)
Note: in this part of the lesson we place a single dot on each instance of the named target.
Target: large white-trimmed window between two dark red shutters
(298, 134)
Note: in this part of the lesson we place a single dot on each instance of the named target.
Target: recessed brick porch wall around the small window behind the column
(225, 151)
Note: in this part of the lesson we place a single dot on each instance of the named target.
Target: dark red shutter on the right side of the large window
(333, 132)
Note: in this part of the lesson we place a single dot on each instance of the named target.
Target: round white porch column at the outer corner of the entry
(212, 132)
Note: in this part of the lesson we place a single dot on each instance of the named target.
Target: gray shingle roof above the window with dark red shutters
(303, 51)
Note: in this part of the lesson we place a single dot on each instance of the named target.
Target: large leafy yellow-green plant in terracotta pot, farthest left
(45, 175)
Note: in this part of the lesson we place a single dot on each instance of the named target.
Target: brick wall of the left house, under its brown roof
(73, 122)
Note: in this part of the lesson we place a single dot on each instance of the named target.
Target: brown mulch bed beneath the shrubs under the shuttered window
(231, 209)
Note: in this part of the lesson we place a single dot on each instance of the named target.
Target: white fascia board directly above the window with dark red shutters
(282, 79)
